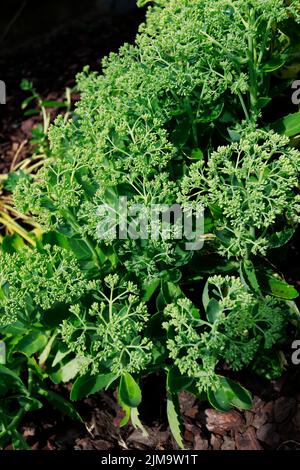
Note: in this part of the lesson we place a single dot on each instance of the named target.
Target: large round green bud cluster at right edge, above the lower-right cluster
(252, 185)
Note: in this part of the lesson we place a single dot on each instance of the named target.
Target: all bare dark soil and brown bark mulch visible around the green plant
(274, 421)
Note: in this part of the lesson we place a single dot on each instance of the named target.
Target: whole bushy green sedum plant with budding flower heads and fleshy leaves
(177, 118)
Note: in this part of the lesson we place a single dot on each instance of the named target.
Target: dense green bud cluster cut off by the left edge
(33, 282)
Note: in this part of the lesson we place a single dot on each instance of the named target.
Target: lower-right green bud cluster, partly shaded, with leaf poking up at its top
(238, 328)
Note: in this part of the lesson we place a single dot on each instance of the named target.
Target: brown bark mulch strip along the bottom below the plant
(273, 423)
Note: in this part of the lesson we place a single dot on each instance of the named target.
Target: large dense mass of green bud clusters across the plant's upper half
(153, 102)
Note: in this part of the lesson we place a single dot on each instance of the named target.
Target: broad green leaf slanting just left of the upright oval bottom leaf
(89, 384)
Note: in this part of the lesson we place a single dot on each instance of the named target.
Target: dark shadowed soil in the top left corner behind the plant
(50, 46)
